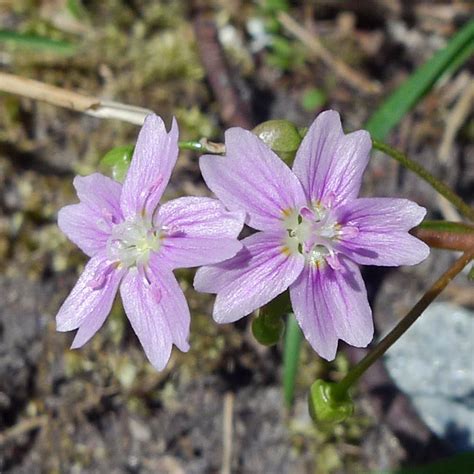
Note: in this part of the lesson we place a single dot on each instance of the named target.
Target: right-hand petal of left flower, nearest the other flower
(200, 231)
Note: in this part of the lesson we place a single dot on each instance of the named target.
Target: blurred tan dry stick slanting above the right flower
(341, 69)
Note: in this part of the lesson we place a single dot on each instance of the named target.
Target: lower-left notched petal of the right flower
(256, 275)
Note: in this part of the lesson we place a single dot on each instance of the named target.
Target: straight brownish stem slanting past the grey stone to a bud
(341, 388)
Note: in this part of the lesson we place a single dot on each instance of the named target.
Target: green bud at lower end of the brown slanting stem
(326, 404)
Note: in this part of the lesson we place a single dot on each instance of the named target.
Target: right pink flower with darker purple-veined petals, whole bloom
(314, 230)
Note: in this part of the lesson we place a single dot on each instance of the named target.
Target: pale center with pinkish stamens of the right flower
(314, 233)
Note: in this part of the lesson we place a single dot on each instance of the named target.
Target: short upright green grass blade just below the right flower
(291, 358)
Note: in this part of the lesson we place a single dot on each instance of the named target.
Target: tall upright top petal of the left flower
(153, 161)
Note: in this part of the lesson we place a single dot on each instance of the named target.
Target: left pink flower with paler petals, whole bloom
(134, 244)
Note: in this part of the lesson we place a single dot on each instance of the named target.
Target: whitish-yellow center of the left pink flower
(132, 241)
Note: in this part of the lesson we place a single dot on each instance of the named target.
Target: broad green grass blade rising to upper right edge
(393, 109)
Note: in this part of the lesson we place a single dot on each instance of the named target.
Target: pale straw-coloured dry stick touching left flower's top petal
(72, 100)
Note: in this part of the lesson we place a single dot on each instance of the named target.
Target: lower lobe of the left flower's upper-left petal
(82, 226)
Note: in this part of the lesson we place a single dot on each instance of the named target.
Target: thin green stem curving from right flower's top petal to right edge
(439, 186)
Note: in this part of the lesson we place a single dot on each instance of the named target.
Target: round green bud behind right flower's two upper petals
(281, 136)
